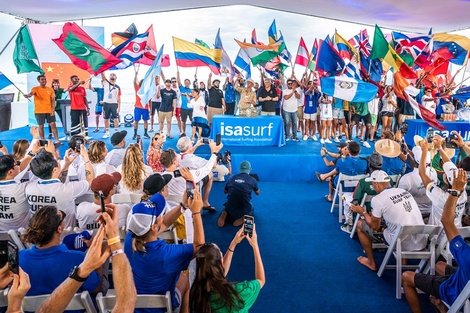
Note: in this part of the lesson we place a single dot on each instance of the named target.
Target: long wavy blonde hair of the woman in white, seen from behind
(133, 168)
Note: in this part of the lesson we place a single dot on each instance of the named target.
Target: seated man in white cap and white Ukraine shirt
(394, 206)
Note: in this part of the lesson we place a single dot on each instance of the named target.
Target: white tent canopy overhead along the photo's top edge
(416, 16)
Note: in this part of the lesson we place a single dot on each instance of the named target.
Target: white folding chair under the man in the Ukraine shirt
(425, 255)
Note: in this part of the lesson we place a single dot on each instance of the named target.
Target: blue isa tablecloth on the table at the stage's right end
(419, 127)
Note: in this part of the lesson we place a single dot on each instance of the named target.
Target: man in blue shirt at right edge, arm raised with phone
(443, 287)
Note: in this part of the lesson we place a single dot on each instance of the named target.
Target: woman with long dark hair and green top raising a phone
(211, 290)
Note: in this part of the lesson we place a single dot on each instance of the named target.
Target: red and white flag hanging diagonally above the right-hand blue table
(404, 90)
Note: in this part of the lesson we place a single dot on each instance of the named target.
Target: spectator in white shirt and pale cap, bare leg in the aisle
(194, 162)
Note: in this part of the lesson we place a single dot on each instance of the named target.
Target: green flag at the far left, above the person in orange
(24, 56)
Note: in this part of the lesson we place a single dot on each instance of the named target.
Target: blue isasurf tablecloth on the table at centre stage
(249, 131)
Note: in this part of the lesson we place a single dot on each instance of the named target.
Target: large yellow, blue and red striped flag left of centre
(188, 54)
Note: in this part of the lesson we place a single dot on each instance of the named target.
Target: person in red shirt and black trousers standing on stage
(79, 109)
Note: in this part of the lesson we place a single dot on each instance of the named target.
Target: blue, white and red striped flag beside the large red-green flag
(130, 51)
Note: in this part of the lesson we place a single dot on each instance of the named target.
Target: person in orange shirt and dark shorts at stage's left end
(44, 105)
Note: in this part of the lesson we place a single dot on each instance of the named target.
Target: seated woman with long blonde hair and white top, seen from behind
(133, 170)
